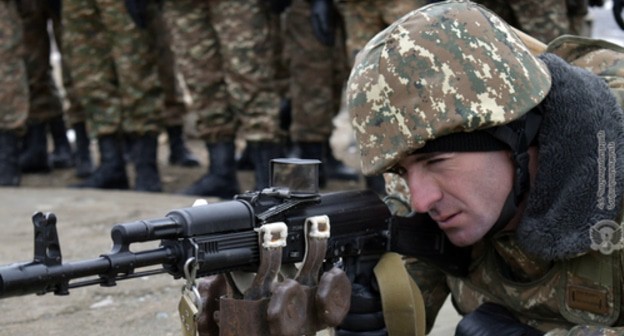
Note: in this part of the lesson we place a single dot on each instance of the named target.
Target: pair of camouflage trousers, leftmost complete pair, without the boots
(113, 67)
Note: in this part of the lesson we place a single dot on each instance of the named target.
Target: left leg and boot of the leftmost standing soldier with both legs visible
(87, 52)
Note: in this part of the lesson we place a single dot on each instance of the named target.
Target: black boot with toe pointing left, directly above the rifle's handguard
(221, 180)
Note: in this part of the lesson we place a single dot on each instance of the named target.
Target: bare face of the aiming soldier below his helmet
(463, 192)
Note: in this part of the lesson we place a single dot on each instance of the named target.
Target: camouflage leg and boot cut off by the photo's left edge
(13, 93)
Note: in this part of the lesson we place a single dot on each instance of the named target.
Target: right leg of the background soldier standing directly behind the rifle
(246, 46)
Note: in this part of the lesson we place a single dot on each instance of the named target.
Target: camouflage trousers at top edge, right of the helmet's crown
(542, 19)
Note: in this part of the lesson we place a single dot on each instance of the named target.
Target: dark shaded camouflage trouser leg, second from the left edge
(45, 100)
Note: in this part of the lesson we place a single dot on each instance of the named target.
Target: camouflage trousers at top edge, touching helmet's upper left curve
(365, 18)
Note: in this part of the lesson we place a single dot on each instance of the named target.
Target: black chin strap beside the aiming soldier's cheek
(518, 135)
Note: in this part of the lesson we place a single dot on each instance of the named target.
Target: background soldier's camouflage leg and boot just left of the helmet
(313, 38)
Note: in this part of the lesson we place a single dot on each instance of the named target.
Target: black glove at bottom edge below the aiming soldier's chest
(491, 319)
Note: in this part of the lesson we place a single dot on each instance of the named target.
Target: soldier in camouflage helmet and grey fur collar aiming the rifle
(516, 160)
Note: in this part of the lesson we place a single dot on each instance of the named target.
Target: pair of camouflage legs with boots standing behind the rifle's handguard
(226, 51)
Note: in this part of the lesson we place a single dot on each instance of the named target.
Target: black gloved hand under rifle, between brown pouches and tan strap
(365, 317)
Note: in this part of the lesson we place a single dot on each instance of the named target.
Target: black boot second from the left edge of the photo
(34, 155)
